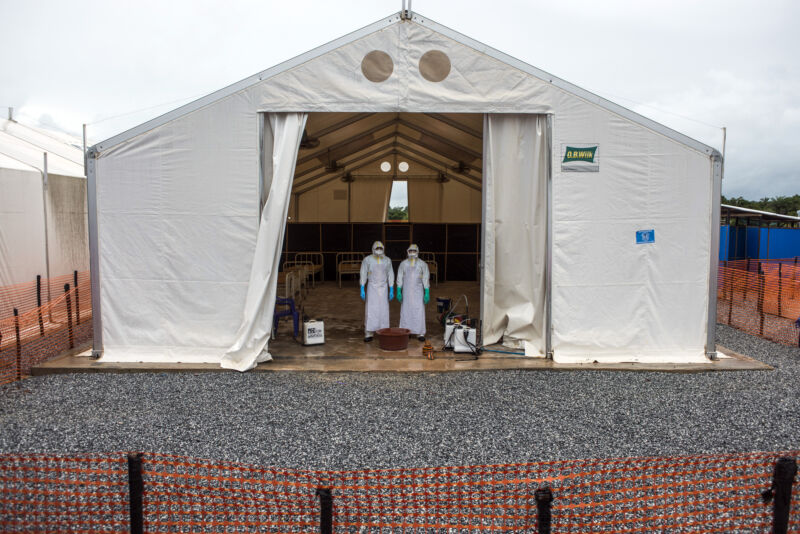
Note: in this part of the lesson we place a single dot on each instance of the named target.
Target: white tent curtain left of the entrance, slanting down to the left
(250, 346)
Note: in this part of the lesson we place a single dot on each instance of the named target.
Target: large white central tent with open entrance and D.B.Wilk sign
(599, 226)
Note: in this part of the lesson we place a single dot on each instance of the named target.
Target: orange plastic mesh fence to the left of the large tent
(38, 334)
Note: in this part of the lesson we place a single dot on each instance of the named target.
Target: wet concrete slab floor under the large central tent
(345, 350)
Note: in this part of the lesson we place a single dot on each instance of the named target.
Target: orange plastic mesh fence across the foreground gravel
(713, 493)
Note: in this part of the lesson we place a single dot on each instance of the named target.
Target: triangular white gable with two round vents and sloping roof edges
(398, 64)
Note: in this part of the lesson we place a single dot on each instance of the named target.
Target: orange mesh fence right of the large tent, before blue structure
(761, 297)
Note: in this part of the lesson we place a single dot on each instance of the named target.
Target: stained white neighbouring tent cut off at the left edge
(43, 226)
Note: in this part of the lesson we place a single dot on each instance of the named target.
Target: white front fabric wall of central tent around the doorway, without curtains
(177, 214)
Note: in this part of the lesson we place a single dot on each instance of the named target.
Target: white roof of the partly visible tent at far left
(22, 147)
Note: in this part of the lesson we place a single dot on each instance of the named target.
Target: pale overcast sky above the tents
(694, 65)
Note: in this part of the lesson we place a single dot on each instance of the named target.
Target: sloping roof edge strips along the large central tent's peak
(398, 18)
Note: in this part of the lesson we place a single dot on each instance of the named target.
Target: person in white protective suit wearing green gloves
(413, 291)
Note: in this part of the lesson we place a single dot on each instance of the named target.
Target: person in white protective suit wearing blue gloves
(378, 277)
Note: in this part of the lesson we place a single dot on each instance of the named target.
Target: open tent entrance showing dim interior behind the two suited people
(341, 204)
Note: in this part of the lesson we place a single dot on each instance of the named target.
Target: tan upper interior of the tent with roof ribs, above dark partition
(339, 149)
